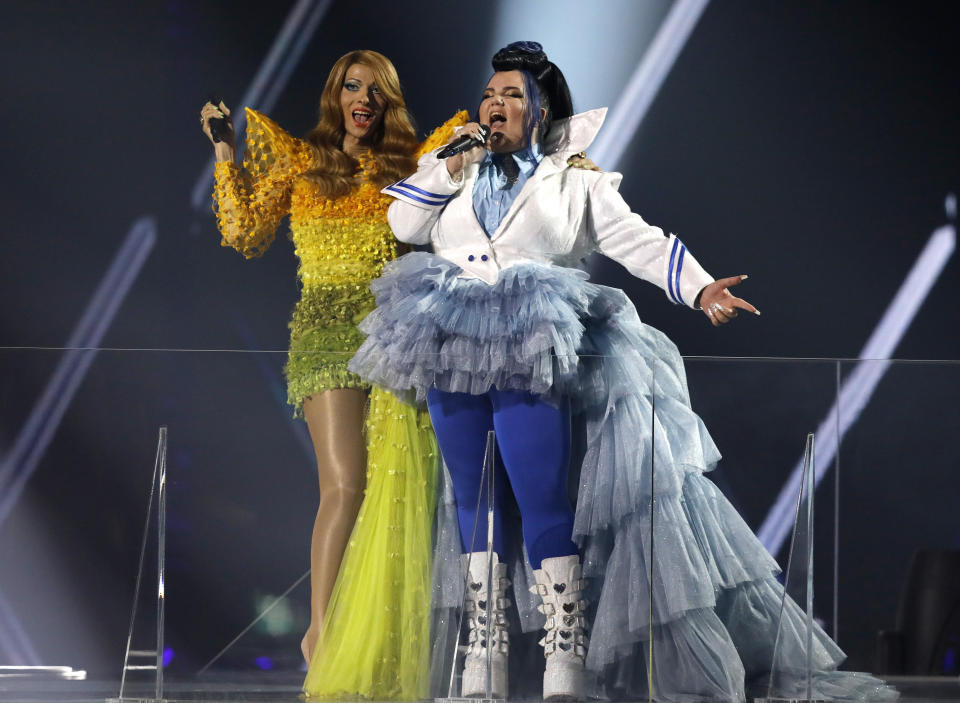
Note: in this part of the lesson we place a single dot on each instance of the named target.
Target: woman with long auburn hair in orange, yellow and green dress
(369, 626)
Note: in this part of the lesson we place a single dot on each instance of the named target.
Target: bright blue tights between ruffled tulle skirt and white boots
(533, 437)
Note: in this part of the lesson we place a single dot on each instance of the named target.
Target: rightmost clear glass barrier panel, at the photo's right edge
(900, 566)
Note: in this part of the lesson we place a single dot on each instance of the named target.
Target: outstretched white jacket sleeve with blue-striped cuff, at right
(643, 249)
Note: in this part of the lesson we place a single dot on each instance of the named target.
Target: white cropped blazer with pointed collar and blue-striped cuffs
(560, 215)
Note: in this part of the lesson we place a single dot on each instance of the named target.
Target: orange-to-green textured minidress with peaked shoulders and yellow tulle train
(374, 641)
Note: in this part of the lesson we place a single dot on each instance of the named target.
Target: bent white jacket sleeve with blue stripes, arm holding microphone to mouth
(420, 199)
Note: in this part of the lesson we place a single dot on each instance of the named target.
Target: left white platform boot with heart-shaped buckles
(474, 682)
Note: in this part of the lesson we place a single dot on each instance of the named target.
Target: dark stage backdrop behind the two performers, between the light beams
(808, 144)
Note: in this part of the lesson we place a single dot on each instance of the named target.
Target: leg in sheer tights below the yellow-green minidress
(335, 419)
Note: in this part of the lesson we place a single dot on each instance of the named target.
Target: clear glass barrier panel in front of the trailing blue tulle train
(737, 448)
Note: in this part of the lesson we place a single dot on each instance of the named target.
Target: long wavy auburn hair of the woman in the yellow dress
(394, 143)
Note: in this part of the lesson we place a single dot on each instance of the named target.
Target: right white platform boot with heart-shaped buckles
(565, 644)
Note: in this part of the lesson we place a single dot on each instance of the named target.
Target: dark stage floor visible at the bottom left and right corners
(286, 689)
